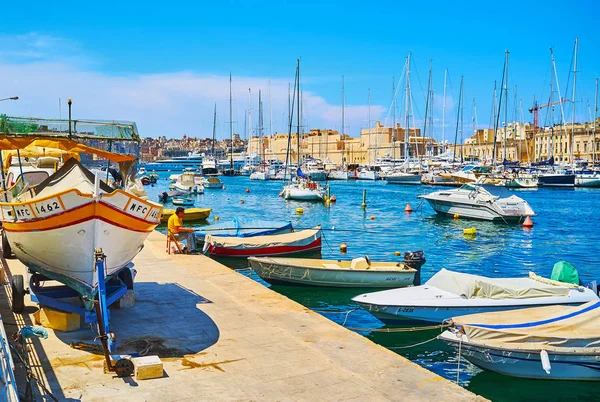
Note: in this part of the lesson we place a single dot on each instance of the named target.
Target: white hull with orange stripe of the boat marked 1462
(56, 235)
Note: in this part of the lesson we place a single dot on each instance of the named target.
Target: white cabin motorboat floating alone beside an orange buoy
(475, 202)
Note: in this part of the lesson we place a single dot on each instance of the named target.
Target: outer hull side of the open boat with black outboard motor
(344, 278)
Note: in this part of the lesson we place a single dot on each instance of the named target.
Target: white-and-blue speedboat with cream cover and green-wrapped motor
(449, 294)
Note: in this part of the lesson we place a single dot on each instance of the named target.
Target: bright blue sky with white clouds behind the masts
(164, 65)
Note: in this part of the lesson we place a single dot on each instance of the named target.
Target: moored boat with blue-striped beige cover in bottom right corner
(553, 342)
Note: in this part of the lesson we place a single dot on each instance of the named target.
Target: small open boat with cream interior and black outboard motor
(358, 273)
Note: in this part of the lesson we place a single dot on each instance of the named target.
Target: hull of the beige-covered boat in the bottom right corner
(527, 364)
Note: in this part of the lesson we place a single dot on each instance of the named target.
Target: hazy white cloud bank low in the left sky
(171, 104)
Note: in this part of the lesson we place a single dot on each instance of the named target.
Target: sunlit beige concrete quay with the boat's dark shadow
(227, 338)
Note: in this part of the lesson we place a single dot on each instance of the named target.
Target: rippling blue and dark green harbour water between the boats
(566, 227)
